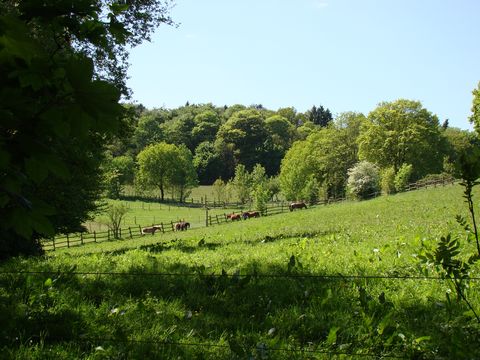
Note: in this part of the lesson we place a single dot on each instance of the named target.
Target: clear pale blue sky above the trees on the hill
(347, 55)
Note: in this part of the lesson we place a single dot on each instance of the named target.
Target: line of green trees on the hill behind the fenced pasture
(306, 156)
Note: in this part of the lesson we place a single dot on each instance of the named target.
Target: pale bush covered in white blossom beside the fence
(363, 180)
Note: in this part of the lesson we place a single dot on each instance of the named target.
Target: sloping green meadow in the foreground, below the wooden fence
(340, 281)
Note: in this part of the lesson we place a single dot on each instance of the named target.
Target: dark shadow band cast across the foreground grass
(272, 305)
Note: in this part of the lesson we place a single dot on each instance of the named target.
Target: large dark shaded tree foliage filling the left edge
(57, 112)
